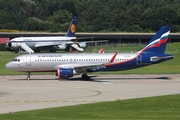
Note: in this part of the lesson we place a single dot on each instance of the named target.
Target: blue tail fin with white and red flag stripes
(158, 42)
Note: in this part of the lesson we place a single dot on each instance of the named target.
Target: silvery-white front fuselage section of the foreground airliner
(51, 62)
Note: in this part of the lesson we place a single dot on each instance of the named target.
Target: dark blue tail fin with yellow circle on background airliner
(72, 28)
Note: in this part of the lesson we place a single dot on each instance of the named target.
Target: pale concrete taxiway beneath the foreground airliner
(45, 91)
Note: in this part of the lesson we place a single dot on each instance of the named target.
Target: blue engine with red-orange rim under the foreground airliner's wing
(65, 72)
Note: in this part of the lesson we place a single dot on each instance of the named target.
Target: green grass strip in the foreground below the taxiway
(157, 108)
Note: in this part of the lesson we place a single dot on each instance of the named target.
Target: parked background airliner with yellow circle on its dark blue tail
(29, 44)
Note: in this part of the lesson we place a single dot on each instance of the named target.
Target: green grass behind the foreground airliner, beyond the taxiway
(171, 66)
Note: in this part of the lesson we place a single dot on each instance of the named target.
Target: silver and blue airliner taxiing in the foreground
(68, 65)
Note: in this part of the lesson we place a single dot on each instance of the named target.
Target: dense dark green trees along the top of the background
(92, 15)
